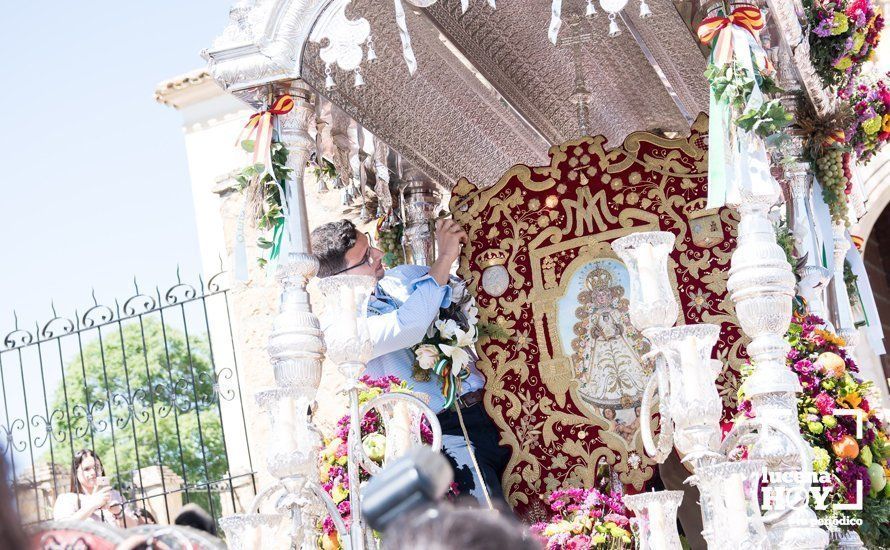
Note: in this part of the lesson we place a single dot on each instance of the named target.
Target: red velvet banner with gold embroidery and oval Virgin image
(565, 389)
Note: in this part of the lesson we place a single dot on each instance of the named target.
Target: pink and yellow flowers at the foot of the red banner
(585, 518)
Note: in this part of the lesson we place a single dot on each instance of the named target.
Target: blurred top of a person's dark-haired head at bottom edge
(448, 528)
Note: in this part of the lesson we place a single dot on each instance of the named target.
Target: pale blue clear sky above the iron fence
(95, 187)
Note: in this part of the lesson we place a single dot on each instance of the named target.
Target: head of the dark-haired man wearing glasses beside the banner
(343, 249)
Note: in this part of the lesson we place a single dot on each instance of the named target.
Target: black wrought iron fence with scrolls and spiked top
(150, 384)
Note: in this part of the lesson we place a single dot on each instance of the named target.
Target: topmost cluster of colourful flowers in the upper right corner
(843, 36)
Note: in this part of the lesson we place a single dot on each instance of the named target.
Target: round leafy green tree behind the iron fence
(143, 395)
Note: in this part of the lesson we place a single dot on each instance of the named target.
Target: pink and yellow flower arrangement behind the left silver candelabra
(334, 457)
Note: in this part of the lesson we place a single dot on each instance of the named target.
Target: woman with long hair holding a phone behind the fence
(91, 495)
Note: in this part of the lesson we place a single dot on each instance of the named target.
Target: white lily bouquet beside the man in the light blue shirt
(446, 349)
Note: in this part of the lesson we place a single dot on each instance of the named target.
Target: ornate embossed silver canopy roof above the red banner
(490, 89)
